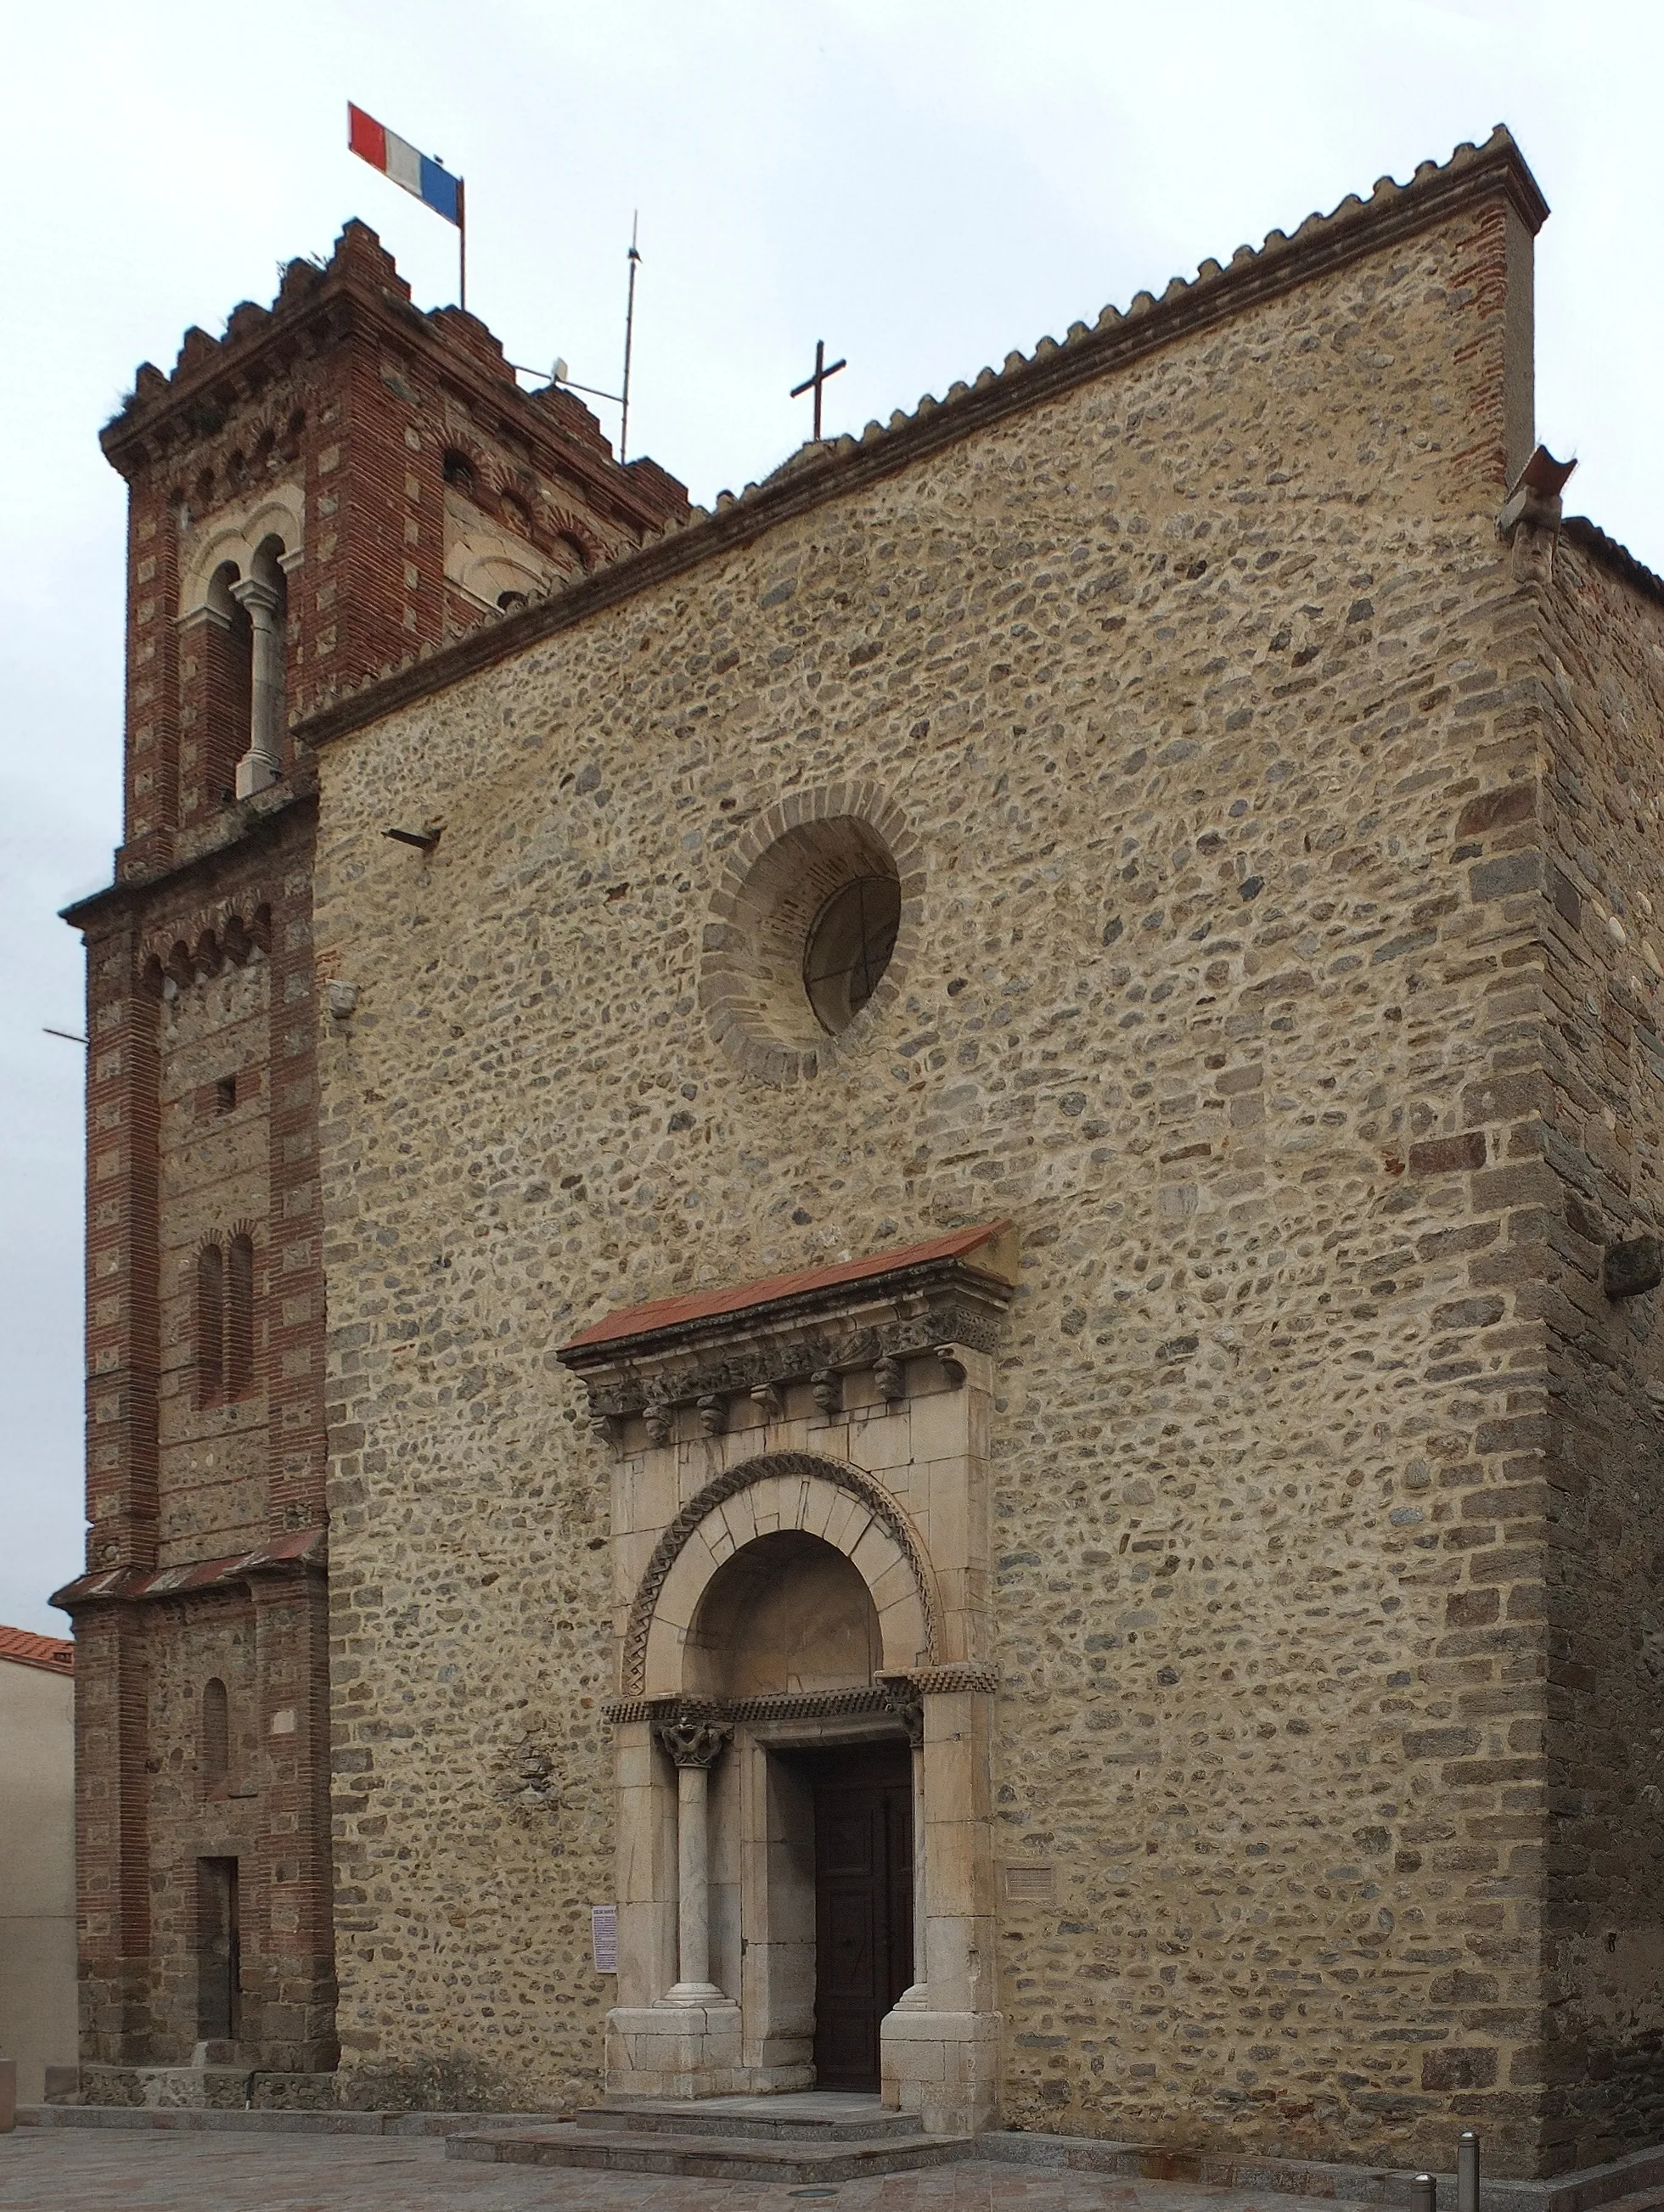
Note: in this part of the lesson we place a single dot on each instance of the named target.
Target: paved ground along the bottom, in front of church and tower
(136, 2171)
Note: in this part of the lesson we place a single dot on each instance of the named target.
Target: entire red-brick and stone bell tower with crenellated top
(331, 490)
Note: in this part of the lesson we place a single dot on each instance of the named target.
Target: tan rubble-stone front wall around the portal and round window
(1187, 685)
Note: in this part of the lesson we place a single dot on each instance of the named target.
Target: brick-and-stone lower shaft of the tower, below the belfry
(200, 985)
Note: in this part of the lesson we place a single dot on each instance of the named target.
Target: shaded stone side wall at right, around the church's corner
(1597, 1468)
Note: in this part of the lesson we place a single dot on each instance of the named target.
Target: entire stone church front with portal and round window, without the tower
(988, 1202)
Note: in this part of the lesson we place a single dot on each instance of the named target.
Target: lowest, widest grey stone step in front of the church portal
(705, 2158)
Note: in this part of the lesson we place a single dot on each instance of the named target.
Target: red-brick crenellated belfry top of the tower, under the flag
(333, 486)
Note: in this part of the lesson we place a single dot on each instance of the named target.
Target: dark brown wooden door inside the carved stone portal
(864, 1906)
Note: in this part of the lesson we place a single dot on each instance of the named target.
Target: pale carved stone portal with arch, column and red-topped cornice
(802, 1558)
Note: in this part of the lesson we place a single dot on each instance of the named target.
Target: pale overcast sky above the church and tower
(922, 182)
